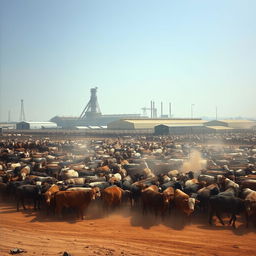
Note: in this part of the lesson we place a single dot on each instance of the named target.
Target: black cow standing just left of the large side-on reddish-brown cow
(33, 192)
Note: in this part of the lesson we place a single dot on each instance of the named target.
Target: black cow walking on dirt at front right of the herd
(225, 204)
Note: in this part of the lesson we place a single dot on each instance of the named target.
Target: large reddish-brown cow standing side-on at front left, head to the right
(79, 200)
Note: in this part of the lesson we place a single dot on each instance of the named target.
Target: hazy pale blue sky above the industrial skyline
(184, 52)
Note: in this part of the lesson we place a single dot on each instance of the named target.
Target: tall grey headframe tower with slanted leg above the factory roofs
(92, 109)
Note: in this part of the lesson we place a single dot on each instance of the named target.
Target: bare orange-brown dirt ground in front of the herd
(123, 232)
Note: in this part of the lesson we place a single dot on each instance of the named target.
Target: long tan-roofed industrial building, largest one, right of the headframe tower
(134, 124)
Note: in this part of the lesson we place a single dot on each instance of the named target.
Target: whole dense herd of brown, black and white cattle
(154, 175)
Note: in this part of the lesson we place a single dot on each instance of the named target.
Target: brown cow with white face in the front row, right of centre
(183, 202)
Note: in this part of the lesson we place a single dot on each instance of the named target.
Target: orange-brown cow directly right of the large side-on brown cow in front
(113, 197)
